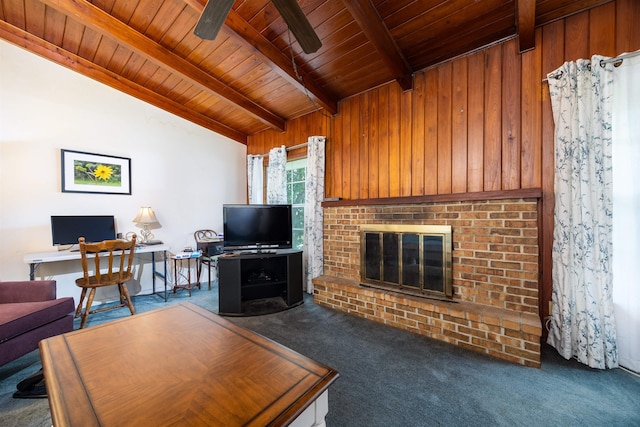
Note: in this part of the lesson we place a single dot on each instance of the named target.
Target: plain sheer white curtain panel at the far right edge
(626, 205)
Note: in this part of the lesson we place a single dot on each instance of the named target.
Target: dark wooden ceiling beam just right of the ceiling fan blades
(367, 17)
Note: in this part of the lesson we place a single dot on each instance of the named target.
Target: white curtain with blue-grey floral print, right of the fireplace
(583, 323)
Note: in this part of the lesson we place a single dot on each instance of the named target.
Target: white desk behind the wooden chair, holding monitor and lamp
(36, 259)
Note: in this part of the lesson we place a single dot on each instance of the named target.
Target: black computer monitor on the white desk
(65, 230)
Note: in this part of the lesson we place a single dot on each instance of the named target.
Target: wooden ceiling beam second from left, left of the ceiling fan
(95, 18)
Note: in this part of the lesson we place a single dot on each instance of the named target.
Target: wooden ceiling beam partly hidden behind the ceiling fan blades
(271, 55)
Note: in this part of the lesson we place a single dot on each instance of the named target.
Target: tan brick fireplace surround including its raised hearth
(494, 307)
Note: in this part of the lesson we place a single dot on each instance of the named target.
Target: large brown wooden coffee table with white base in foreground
(180, 365)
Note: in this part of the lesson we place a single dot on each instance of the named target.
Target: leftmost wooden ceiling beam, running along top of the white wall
(78, 64)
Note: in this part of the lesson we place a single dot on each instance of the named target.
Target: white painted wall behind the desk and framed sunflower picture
(183, 171)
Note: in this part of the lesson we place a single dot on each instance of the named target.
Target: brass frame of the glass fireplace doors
(423, 232)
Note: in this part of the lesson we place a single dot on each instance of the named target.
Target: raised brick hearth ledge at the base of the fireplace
(505, 334)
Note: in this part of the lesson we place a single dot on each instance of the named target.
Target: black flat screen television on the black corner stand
(256, 226)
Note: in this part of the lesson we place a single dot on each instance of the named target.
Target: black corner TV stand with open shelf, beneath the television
(247, 276)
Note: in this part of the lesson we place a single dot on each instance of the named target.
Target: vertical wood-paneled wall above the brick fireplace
(481, 122)
